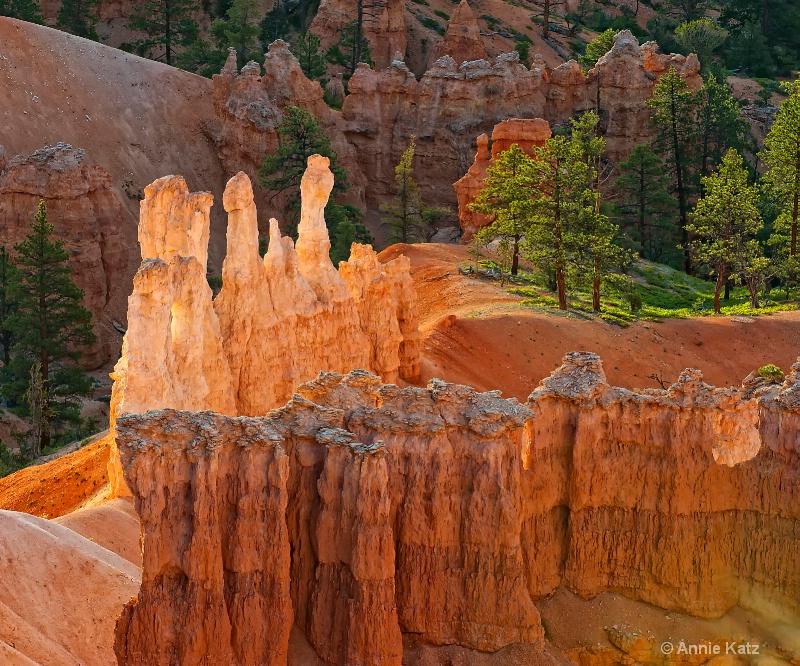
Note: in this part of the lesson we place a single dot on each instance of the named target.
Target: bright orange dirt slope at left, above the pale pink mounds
(57, 487)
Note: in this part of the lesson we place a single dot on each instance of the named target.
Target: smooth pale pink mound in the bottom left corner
(60, 593)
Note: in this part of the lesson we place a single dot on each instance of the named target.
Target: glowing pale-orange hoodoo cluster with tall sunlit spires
(276, 322)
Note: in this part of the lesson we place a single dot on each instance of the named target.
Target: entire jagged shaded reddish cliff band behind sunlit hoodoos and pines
(452, 104)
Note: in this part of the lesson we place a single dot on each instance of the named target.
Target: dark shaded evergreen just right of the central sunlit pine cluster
(646, 207)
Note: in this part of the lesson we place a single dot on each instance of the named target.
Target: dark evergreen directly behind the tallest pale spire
(300, 136)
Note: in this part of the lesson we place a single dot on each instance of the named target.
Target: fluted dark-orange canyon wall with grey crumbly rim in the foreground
(445, 513)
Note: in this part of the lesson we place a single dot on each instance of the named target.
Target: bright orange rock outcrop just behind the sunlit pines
(527, 134)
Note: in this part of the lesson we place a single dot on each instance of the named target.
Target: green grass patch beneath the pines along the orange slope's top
(666, 294)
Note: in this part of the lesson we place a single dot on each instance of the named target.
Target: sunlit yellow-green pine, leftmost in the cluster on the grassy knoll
(506, 197)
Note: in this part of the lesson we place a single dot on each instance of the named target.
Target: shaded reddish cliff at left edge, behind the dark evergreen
(87, 217)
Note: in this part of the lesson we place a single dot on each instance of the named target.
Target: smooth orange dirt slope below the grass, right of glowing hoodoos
(474, 333)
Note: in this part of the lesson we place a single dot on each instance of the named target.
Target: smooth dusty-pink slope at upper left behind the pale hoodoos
(136, 118)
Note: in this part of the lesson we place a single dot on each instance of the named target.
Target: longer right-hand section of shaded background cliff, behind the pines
(454, 103)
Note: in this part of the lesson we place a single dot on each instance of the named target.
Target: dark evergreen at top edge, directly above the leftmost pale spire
(167, 23)
